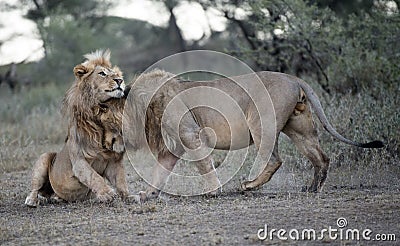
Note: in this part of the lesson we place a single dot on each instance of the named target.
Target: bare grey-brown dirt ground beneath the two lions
(233, 218)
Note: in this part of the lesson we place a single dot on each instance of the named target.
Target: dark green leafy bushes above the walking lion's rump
(354, 53)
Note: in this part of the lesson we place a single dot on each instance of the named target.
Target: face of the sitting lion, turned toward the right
(100, 82)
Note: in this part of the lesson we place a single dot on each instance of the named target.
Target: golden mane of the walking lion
(144, 109)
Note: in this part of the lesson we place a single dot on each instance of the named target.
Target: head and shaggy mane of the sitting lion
(96, 82)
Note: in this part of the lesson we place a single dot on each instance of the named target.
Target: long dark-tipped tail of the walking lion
(316, 104)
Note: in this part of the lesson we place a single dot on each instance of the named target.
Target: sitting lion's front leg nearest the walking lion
(115, 173)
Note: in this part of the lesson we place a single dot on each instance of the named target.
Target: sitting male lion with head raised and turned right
(79, 170)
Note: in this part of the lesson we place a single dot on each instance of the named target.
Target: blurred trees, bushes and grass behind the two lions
(347, 50)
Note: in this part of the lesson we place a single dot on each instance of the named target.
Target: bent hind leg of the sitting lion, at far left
(40, 179)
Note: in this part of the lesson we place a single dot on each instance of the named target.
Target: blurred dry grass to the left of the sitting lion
(30, 124)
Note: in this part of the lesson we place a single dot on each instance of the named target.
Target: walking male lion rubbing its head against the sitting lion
(292, 100)
